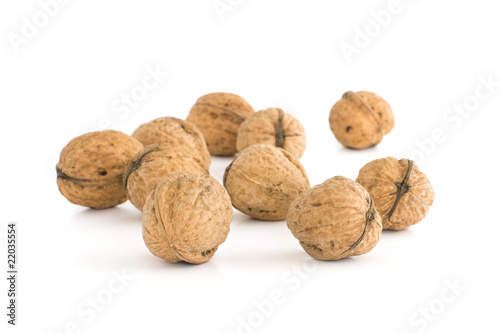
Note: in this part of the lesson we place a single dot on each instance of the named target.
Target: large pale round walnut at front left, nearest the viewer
(186, 218)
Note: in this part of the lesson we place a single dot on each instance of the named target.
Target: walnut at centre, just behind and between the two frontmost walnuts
(264, 180)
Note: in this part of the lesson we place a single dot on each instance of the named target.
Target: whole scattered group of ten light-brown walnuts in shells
(163, 169)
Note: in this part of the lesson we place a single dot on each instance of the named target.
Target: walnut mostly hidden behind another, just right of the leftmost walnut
(176, 132)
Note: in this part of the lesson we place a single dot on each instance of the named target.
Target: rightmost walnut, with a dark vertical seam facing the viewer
(401, 192)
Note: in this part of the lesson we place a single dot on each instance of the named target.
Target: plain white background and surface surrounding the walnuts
(64, 81)
